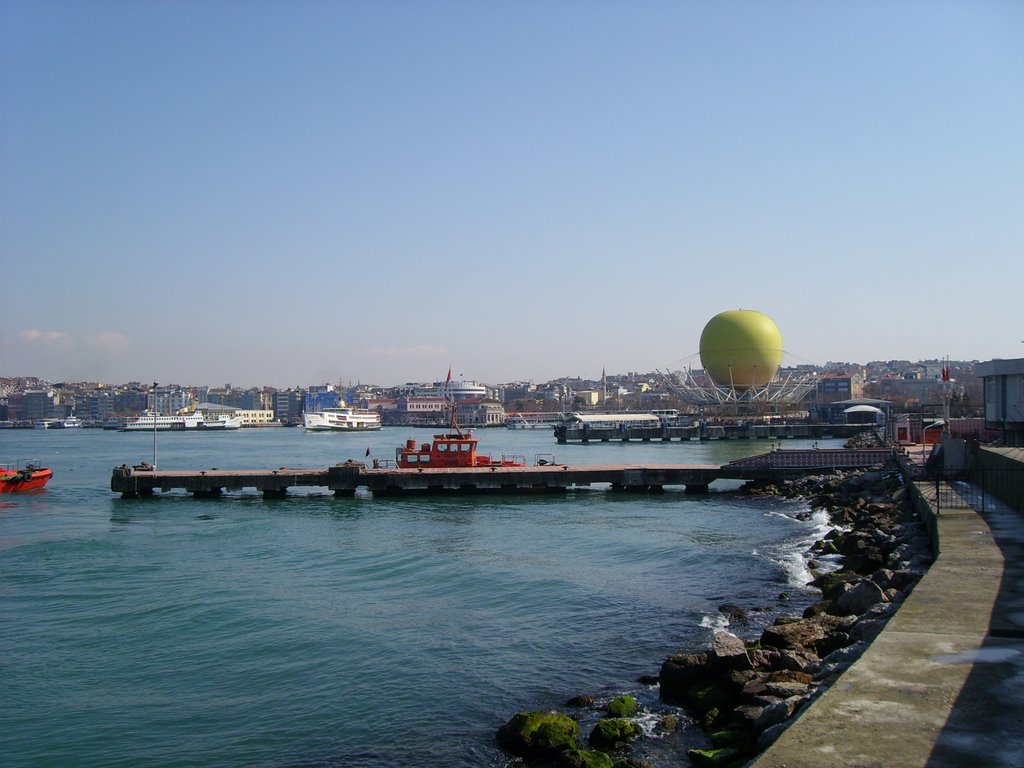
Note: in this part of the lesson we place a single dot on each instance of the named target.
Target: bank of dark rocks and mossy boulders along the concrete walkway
(745, 692)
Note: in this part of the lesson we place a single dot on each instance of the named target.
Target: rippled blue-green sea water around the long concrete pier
(316, 631)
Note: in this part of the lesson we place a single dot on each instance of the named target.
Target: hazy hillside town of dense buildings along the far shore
(925, 388)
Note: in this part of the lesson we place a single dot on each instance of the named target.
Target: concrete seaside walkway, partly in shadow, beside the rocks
(944, 685)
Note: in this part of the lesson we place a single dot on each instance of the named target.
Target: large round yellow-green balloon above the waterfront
(742, 349)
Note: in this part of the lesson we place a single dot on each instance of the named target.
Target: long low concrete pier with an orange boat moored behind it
(344, 480)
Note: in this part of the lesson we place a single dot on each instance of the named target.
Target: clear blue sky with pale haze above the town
(286, 194)
